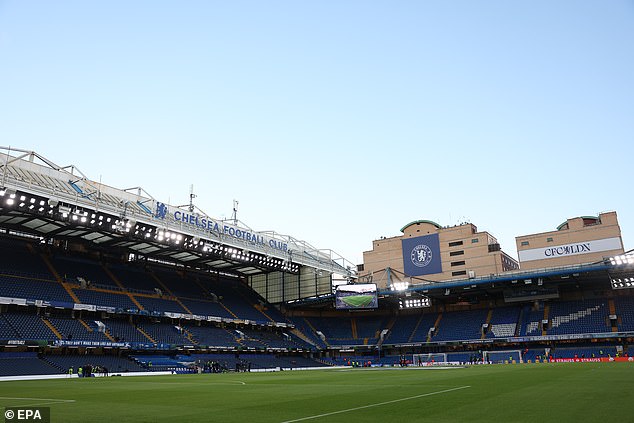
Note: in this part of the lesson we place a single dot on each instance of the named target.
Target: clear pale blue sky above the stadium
(337, 122)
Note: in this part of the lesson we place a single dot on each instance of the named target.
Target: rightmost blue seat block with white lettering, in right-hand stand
(582, 316)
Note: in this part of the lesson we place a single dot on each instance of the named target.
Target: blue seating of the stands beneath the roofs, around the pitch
(121, 305)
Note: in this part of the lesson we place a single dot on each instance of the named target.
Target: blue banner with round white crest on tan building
(421, 255)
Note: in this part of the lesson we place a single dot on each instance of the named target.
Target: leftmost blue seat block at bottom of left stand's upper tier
(29, 288)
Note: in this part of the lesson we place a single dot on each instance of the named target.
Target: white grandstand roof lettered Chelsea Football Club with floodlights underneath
(45, 200)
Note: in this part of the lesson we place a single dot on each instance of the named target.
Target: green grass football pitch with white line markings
(566, 392)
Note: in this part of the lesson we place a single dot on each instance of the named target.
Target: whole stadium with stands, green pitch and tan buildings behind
(118, 305)
